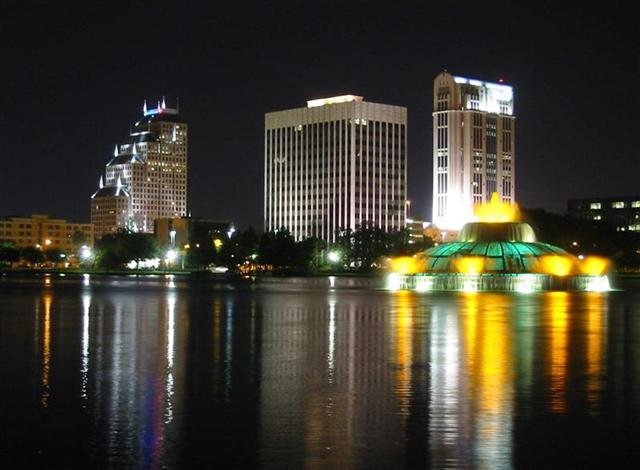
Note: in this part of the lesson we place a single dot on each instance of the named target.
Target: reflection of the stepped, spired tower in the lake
(131, 368)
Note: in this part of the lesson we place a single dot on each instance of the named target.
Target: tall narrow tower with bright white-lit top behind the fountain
(473, 147)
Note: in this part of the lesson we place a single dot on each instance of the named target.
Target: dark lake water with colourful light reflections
(113, 372)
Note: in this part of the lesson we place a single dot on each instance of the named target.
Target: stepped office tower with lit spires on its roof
(147, 177)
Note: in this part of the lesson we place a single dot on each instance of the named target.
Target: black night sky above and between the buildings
(73, 79)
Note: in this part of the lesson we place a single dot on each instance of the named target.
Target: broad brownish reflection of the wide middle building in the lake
(331, 363)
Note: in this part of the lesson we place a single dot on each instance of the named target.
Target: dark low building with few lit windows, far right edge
(623, 213)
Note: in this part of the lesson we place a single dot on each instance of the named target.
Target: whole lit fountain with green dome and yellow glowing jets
(498, 253)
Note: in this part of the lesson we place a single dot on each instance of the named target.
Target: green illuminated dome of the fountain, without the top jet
(505, 247)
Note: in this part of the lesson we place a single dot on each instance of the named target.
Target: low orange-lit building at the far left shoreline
(40, 231)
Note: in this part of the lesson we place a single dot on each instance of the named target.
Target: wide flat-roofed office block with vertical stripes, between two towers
(336, 164)
